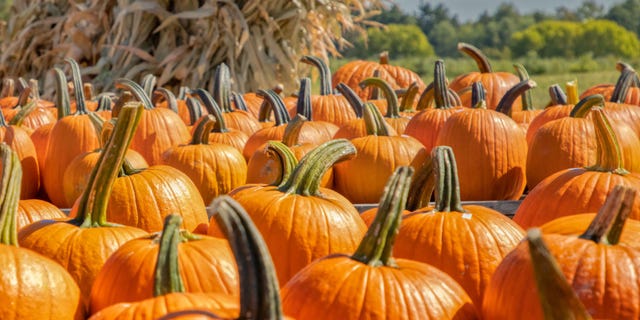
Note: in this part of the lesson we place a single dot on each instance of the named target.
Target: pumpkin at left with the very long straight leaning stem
(82, 244)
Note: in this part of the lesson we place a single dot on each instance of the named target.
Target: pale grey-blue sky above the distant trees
(471, 9)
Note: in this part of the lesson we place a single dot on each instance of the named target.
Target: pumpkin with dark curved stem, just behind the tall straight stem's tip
(159, 129)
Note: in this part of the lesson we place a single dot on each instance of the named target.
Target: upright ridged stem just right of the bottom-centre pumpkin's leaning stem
(447, 185)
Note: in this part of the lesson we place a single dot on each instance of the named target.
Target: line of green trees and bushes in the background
(506, 33)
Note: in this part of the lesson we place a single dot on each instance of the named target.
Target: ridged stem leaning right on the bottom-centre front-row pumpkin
(377, 244)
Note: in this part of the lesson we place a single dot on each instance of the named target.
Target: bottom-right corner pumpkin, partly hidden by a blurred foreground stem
(595, 264)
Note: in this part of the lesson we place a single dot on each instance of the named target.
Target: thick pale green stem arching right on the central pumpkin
(307, 175)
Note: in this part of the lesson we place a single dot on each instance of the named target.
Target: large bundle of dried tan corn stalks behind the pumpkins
(179, 41)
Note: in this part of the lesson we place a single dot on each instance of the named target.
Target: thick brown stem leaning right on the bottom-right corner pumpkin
(607, 226)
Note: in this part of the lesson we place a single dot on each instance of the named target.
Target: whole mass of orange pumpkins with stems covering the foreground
(212, 204)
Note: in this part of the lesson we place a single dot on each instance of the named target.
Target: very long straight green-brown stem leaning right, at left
(93, 202)
